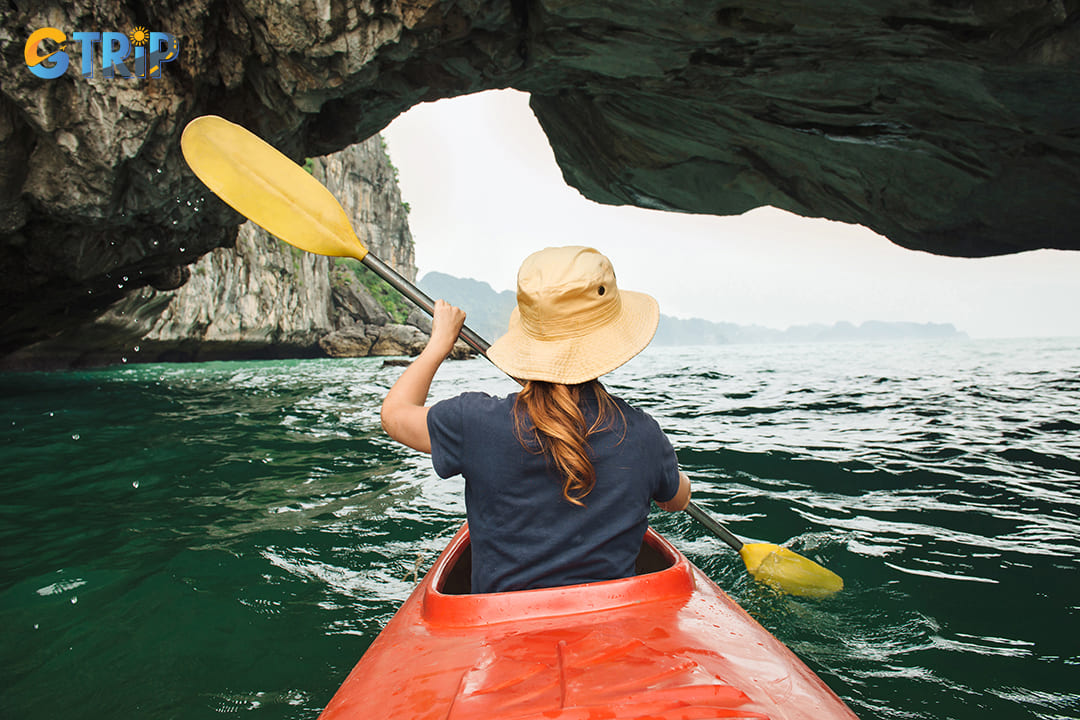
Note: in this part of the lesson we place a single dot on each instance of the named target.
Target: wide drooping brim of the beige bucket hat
(583, 359)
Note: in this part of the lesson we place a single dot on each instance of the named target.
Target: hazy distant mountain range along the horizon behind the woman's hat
(489, 314)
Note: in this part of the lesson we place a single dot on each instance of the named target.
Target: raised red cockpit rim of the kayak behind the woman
(665, 575)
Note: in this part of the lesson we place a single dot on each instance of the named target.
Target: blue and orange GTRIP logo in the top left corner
(117, 60)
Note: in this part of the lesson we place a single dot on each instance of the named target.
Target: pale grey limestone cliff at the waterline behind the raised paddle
(263, 298)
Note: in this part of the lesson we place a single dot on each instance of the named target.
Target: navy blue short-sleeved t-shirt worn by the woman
(524, 534)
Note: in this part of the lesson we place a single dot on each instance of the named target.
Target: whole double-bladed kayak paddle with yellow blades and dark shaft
(276, 194)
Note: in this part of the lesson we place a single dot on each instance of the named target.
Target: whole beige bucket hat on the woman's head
(573, 324)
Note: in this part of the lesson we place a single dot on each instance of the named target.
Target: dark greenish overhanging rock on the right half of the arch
(948, 127)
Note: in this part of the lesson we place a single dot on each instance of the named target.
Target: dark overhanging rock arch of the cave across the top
(949, 127)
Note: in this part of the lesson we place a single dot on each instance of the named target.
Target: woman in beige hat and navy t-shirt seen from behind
(559, 477)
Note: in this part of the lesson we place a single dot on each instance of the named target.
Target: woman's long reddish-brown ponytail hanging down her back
(549, 420)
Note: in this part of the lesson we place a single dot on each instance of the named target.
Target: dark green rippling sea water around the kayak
(226, 540)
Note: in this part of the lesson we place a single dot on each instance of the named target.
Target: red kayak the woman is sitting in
(666, 645)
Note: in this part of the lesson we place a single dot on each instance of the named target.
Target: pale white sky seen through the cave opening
(485, 193)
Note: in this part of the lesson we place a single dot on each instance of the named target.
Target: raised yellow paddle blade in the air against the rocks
(268, 188)
